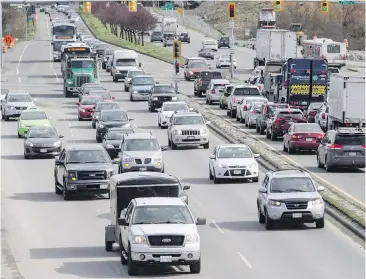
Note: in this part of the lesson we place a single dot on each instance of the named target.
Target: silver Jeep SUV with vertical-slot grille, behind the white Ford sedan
(188, 129)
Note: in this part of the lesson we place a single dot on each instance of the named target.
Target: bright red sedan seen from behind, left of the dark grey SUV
(302, 136)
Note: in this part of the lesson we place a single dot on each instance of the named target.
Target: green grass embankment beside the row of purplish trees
(103, 34)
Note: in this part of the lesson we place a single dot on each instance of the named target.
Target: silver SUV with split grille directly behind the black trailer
(141, 152)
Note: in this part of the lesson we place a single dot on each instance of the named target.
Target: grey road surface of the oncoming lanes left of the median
(52, 238)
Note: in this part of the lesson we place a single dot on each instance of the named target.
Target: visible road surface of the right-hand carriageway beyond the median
(350, 181)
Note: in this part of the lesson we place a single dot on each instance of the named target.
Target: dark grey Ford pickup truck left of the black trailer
(84, 168)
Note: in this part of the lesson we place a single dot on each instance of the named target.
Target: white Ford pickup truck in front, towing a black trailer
(159, 231)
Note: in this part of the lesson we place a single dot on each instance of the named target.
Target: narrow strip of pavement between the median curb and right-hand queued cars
(351, 181)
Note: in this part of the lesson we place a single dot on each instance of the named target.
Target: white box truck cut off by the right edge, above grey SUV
(346, 101)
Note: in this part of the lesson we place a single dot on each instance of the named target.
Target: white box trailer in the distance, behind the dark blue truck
(275, 45)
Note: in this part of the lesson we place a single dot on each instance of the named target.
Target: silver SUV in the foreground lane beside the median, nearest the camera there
(290, 196)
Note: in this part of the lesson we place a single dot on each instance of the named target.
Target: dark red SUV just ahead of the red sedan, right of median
(282, 121)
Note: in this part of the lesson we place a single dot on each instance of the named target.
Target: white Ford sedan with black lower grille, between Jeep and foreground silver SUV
(233, 161)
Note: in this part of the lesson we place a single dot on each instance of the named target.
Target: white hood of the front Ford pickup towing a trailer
(164, 229)
